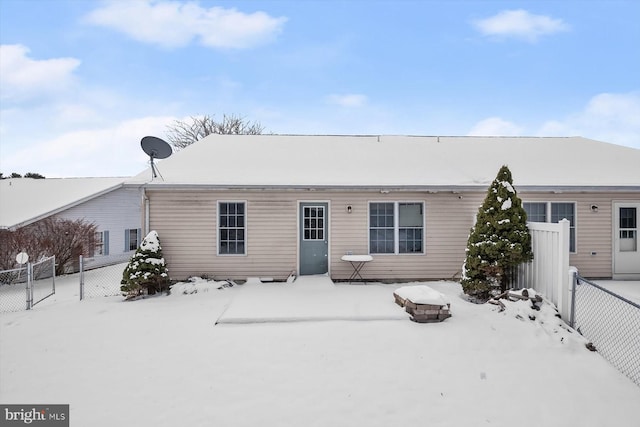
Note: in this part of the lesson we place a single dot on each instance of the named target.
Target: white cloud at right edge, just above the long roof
(608, 117)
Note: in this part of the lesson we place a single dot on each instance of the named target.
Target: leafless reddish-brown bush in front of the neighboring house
(64, 238)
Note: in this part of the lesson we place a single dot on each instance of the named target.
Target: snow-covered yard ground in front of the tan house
(309, 353)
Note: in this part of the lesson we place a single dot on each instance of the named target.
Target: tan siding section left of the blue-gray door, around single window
(186, 222)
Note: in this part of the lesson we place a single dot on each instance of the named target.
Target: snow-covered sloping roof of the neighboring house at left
(26, 200)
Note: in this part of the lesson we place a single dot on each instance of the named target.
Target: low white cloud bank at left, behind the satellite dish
(107, 151)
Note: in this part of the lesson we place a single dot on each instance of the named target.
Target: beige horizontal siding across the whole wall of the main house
(186, 221)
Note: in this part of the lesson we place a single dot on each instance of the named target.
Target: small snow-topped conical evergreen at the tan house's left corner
(146, 271)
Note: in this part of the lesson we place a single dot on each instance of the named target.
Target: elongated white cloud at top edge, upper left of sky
(174, 24)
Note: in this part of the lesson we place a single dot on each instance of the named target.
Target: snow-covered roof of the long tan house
(261, 161)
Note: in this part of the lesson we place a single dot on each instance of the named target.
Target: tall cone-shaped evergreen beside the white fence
(499, 240)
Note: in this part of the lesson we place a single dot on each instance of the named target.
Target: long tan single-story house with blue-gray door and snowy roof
(232, 206)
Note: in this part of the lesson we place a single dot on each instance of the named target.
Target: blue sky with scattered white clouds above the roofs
(81, 82)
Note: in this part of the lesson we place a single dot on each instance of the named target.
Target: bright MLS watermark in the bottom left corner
(34, 415)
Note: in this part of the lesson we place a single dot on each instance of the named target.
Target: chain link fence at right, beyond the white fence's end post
(611, 322)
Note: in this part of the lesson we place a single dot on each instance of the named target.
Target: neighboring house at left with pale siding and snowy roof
(105, 202)
